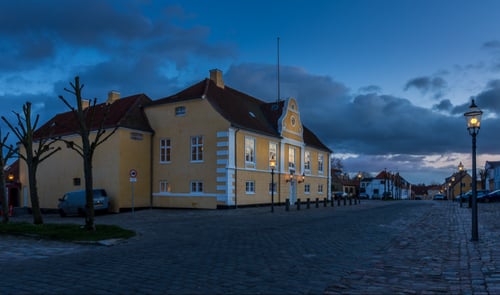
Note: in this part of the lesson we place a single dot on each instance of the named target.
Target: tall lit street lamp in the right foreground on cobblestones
(473, 117)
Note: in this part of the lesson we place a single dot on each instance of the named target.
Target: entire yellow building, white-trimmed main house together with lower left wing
(208, 146)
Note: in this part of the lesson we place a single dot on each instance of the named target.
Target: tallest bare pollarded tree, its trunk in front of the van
(85, 118)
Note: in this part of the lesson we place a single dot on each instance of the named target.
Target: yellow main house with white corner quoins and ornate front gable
(213, 146)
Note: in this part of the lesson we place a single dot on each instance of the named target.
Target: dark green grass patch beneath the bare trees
(65, 232)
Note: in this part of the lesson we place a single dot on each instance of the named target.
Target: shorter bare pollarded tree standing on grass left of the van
(34, 152)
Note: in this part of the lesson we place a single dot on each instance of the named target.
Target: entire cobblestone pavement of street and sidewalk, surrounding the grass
(401, 247)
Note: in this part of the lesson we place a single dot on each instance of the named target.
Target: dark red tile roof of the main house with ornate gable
(242, 110)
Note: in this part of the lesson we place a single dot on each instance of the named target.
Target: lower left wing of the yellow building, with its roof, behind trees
(129, 148)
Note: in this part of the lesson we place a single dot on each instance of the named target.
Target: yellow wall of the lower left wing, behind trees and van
(111, 164)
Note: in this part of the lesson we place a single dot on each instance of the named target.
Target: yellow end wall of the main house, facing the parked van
(200, 119)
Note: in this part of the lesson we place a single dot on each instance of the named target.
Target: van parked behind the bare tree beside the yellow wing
(73, 203)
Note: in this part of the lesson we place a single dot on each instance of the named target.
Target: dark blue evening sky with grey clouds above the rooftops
(383, 83)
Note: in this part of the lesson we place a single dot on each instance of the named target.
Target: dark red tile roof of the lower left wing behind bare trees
(124, 112)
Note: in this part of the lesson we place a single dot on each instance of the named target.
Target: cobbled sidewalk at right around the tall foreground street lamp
(435, 255)
